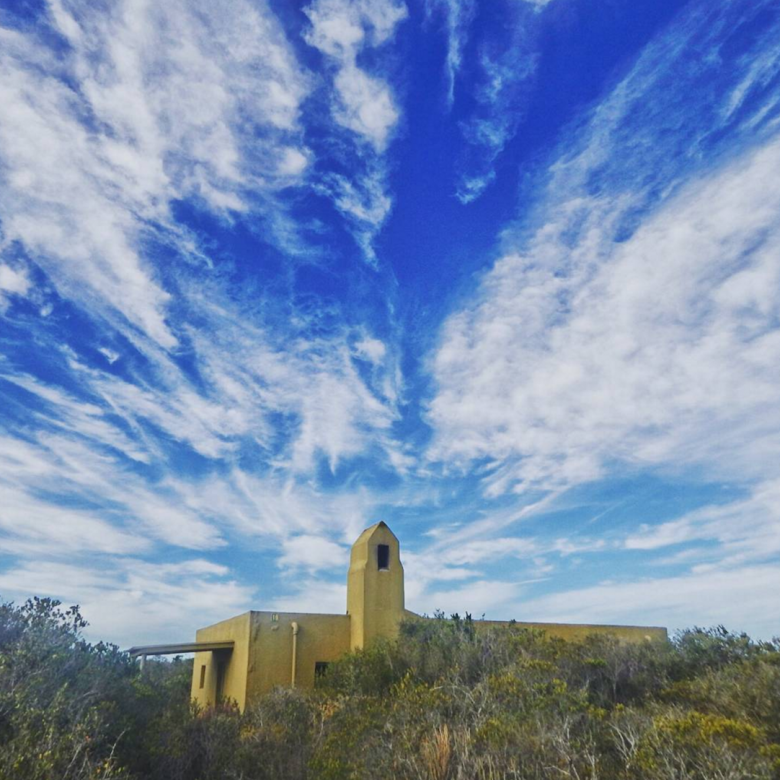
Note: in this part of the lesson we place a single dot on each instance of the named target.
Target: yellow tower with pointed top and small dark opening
(375, 586)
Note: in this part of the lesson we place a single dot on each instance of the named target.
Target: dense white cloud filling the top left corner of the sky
(150, 104)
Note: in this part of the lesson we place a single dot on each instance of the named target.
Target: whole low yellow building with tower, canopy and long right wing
(250, 654)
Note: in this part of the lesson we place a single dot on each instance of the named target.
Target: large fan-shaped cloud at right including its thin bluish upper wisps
(621, 330)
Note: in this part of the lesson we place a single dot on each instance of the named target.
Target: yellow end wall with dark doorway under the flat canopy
(232, 665)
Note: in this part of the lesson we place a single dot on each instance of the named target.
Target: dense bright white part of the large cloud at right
(658, 350)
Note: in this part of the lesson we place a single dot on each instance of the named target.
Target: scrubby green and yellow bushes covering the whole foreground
(451, 700)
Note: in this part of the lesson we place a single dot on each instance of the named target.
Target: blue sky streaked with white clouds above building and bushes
(505, 275)
